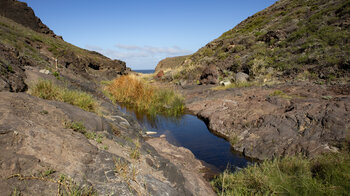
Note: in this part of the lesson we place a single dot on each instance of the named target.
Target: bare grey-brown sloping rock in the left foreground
(34, 139)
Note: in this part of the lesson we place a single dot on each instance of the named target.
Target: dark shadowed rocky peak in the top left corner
(24, 15)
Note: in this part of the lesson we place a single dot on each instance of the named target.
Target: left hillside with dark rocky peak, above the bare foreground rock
(25, 41)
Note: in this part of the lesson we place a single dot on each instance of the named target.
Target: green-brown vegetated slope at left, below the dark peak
(39, 49)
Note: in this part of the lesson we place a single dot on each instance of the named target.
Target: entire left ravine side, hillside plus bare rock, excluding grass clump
(53, 148)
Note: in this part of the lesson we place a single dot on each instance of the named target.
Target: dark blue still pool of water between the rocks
(192, 133)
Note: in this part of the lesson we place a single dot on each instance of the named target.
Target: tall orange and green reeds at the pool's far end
(144, 97)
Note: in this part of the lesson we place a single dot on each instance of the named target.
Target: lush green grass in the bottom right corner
(328, 174)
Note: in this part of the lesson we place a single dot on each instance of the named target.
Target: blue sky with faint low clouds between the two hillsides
(143, 32)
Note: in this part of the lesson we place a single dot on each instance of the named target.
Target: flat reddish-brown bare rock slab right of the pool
(284, 119)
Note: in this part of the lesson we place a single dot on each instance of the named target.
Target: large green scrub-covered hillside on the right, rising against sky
(288, 39)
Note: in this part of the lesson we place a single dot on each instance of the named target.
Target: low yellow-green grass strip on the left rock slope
(45, 89)
